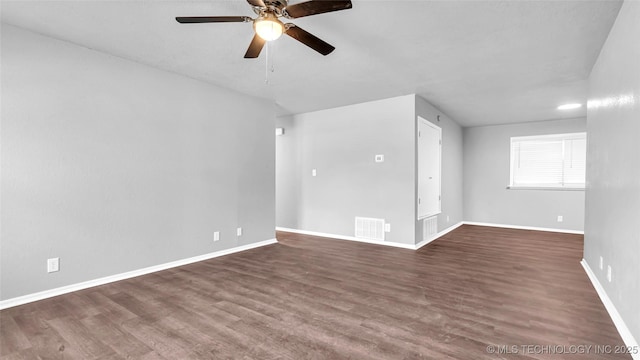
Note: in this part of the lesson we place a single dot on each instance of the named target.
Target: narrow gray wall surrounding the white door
(452, 166)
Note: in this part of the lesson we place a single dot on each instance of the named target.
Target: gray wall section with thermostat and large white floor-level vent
(341, 144)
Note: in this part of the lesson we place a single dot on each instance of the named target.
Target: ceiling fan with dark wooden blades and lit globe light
(267, 24)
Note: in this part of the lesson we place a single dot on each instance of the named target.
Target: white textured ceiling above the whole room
(481, 62)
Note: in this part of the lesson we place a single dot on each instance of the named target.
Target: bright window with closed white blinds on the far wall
(549, 161)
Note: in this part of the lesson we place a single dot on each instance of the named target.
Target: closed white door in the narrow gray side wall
(429, 155)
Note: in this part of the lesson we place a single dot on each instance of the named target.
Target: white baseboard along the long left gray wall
(109, 279)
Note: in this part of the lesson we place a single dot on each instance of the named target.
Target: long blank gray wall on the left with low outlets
(113, 166)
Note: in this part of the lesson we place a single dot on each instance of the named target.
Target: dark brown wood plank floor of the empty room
(316, 298)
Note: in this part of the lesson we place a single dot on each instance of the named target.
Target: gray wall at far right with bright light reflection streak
(613, 167)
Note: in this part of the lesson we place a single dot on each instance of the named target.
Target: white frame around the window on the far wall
(560, 137)
